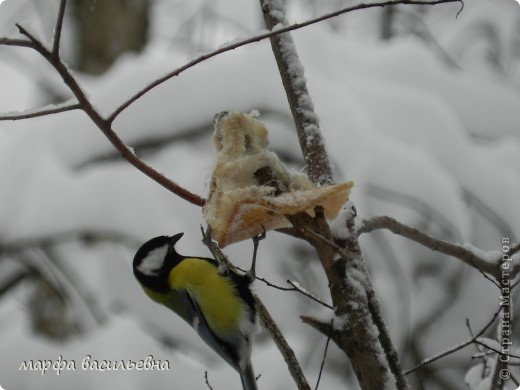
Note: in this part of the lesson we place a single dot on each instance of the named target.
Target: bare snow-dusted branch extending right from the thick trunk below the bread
(460, 252)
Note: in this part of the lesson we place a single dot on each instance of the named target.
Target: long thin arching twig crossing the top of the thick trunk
(261, 37)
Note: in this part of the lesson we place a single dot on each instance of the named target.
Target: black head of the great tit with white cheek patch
(154, 260)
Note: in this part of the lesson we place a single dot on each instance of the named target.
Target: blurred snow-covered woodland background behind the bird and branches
(426, 125)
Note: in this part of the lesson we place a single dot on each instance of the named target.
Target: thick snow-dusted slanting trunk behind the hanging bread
(364, 337)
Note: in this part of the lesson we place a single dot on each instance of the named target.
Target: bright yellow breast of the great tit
(214, 293)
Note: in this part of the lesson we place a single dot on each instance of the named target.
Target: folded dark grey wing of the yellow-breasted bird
(188, 309)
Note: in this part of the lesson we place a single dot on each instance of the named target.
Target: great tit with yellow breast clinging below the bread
(215, 301)
